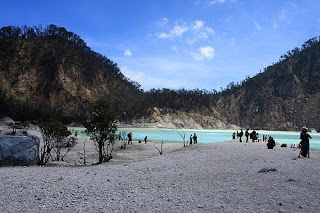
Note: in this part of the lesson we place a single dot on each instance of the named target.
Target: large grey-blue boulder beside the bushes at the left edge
(19, 150)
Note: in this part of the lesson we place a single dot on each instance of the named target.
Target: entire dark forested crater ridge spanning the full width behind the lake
(52, 71)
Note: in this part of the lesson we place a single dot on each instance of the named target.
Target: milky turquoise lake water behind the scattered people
(210, 136)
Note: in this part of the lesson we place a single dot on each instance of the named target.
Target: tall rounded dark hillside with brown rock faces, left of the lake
(52, 70)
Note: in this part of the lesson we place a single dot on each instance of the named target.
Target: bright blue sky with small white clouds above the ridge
(189, 44)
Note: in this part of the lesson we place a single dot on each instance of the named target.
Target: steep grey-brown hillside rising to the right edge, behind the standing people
(285, 96)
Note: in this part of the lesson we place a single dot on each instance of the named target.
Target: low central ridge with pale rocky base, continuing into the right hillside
(285, 96)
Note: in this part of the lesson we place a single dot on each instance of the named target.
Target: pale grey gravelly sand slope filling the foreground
(218, 177)
